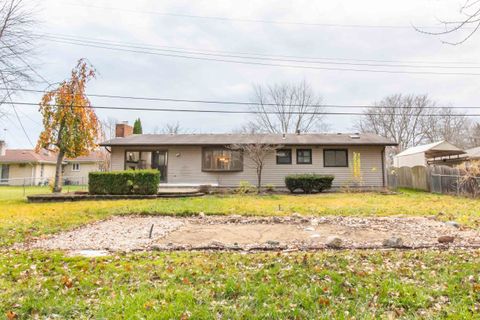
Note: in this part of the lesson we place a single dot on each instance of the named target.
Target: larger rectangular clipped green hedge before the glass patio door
(124, 182)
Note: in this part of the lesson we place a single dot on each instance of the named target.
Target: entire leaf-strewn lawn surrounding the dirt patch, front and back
(204, 285)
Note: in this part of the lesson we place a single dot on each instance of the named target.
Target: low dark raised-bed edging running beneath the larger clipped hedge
(63, 197)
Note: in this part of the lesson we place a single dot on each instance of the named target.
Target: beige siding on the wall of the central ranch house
(185, 166)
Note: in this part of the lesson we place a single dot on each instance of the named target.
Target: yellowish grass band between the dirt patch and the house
(20, 220)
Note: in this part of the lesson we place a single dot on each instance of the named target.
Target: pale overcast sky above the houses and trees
(248, 29)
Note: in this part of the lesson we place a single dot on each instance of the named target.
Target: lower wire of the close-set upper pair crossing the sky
(249, 56)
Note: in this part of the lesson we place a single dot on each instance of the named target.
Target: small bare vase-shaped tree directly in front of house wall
(257, 153)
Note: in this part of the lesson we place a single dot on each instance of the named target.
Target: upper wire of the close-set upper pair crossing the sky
(76, 37)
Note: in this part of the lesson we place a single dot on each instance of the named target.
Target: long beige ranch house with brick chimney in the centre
(206, 158)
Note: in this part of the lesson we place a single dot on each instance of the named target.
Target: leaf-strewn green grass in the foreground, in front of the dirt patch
(322, 285)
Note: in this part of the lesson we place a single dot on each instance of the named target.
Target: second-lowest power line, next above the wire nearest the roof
(246, 103)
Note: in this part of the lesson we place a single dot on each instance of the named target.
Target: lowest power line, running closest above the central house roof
(233, 111)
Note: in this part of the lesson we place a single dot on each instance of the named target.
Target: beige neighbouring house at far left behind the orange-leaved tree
(28, 167)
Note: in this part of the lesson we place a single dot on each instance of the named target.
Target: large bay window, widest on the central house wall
(221, 159)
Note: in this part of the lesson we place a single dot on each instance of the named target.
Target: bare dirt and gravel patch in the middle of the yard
(256, 233)
